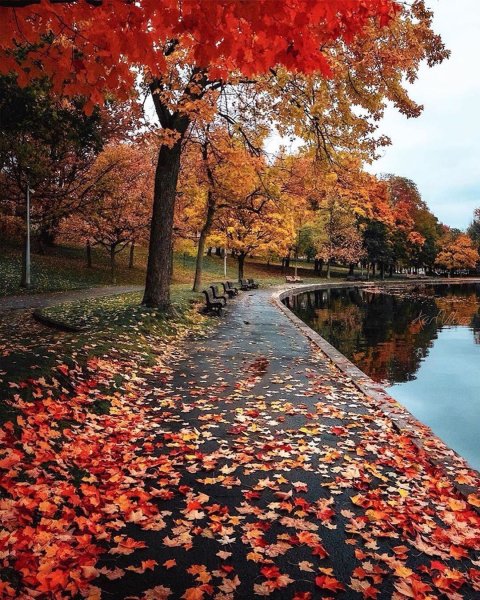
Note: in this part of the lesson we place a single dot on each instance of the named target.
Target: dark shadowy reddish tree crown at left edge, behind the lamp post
(52, 143)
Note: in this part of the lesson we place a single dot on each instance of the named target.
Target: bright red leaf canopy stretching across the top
(94, 48)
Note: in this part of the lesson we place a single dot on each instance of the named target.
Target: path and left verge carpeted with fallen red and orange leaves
(248, 466)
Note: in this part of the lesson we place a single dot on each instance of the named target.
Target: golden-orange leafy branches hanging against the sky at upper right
(366, 74)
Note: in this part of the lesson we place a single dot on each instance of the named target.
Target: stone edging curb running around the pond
(402, 420)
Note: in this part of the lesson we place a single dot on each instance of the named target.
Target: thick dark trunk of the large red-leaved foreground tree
(159, 265)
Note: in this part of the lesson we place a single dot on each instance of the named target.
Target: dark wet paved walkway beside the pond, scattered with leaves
(277, 477)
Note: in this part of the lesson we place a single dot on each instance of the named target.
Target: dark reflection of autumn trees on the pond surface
(389, 334)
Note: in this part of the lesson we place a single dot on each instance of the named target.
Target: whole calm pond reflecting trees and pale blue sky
(421, 342)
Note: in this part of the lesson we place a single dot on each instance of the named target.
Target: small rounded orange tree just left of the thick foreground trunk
(118, 210)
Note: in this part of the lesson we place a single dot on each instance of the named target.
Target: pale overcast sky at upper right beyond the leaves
(440, 150)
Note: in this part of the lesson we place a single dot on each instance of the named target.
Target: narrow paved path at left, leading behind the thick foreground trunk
(26, 301)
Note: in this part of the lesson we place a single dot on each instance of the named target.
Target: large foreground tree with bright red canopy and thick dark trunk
(188, 55)
